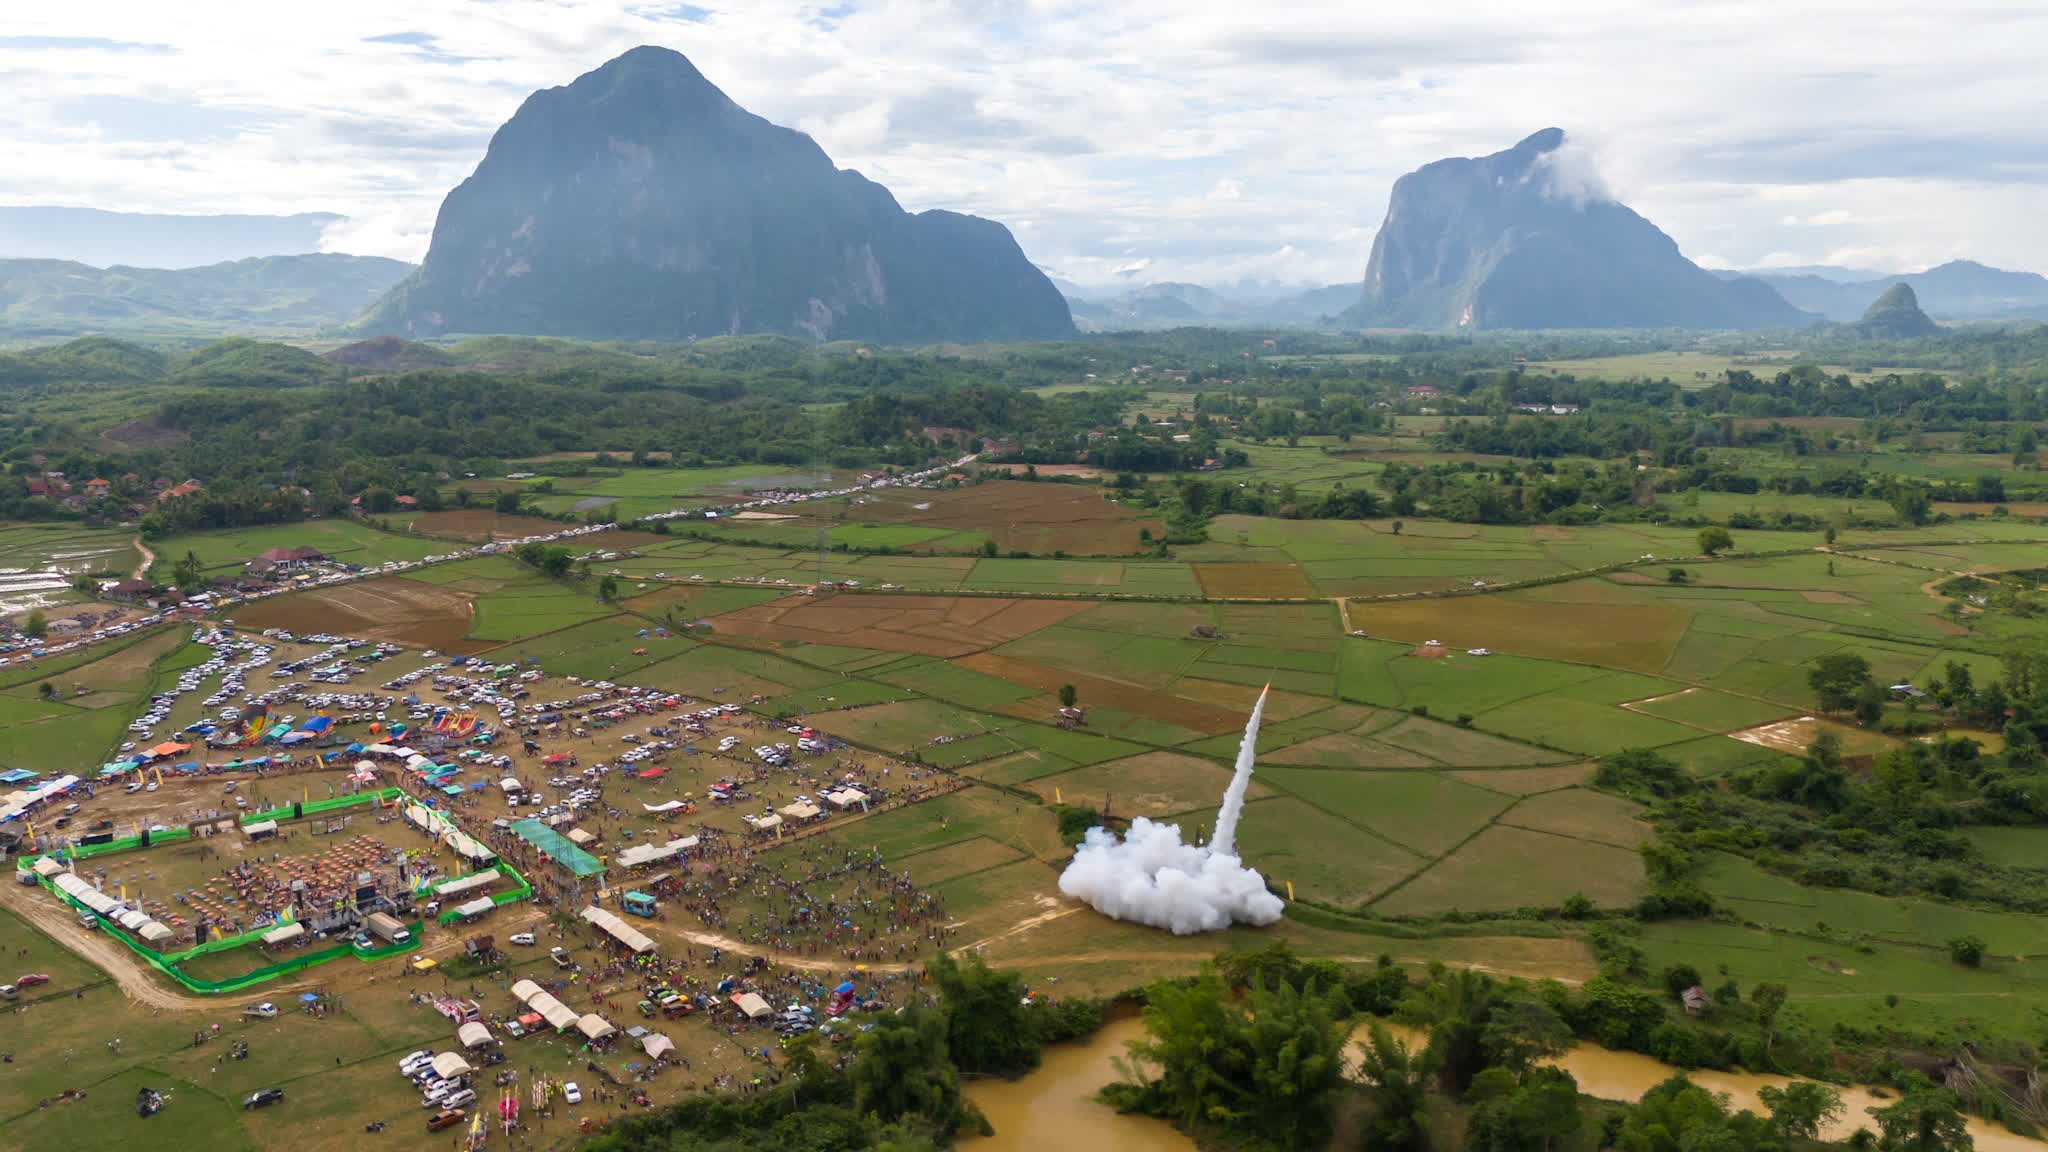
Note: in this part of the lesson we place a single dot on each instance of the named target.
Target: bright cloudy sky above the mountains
(1121, 140)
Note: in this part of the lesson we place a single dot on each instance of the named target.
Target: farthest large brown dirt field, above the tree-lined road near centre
(1017, 516)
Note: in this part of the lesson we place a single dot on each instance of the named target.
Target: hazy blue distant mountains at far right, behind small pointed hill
(1961, 290)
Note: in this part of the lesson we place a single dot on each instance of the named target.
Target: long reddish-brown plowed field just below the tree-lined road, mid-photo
(925, 626)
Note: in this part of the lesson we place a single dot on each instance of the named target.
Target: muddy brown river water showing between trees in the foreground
(1056, 1108)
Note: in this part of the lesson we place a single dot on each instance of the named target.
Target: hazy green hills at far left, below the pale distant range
(265, 294)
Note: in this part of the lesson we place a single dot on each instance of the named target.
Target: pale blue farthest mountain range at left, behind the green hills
(155, 241)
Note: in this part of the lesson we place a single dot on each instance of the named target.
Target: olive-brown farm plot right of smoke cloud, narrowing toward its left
(1512, 868)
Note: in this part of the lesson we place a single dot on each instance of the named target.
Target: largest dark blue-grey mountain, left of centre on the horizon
(640, 202)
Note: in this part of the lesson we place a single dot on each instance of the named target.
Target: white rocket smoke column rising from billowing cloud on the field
(1154, 878)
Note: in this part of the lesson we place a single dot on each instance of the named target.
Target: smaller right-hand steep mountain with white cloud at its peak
(1525, 241)
